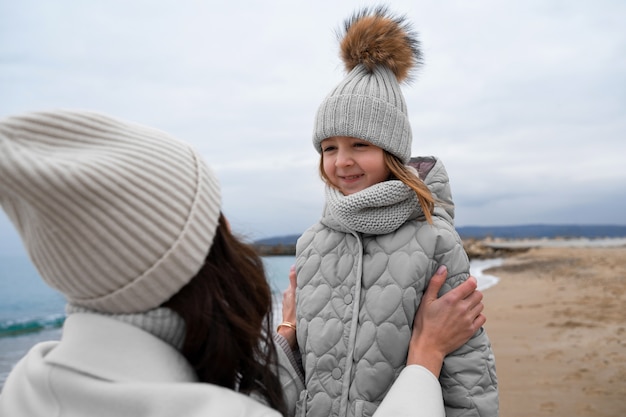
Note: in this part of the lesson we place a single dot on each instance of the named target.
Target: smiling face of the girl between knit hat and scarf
(352, 164)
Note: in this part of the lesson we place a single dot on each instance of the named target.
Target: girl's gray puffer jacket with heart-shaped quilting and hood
(356, 300)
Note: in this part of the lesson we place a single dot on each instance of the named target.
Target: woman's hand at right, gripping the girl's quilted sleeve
(444, 324)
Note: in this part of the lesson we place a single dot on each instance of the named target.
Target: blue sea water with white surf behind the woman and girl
(31, 312)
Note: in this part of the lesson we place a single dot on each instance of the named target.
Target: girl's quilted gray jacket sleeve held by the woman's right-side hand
(468, 376)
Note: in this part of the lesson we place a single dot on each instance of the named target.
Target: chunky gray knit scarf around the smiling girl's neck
(378, 210)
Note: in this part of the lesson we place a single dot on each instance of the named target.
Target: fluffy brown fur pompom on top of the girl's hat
(376, 37)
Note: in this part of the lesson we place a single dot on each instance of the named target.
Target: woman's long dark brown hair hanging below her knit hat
(227, 309)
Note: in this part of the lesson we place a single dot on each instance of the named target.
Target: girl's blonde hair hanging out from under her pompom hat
(402, 173)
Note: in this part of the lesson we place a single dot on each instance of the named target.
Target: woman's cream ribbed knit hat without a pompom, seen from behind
(116, 216)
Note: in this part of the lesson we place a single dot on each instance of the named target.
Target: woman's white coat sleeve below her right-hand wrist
(404, 400)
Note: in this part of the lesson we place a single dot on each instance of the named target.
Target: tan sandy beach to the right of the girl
(557, 322)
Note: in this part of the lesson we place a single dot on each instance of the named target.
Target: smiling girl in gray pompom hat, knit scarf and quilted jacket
(363, 269)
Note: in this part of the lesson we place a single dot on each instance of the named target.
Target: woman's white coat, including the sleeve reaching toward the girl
(103, 367)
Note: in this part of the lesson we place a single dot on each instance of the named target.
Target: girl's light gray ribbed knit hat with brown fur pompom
(379, 52)
